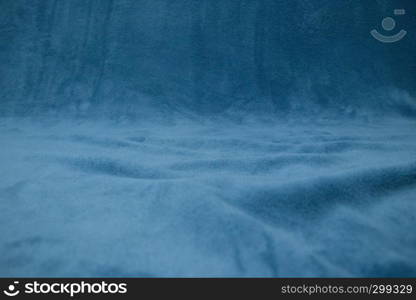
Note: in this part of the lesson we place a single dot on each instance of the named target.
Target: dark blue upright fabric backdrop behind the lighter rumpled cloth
(207, 57)
